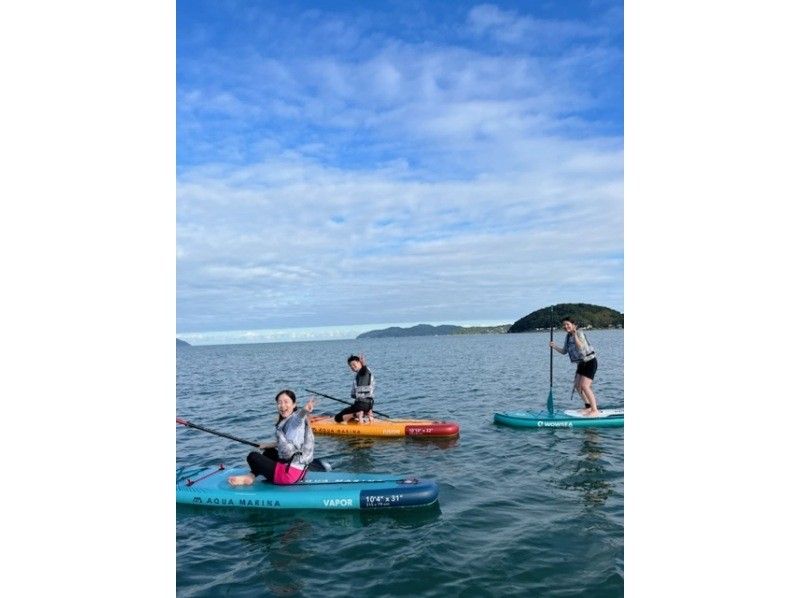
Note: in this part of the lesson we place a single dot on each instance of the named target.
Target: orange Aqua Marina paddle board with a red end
(393, 428)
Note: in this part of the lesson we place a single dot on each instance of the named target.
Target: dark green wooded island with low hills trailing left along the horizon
(585, 314)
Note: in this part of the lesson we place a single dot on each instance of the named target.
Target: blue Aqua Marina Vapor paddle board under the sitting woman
(331, 490)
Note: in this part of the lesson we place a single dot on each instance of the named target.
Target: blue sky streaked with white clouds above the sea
(349, 165)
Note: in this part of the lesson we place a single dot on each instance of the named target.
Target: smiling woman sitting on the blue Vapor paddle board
(287, 461)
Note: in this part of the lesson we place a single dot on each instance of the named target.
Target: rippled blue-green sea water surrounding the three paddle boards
(520, 513)
